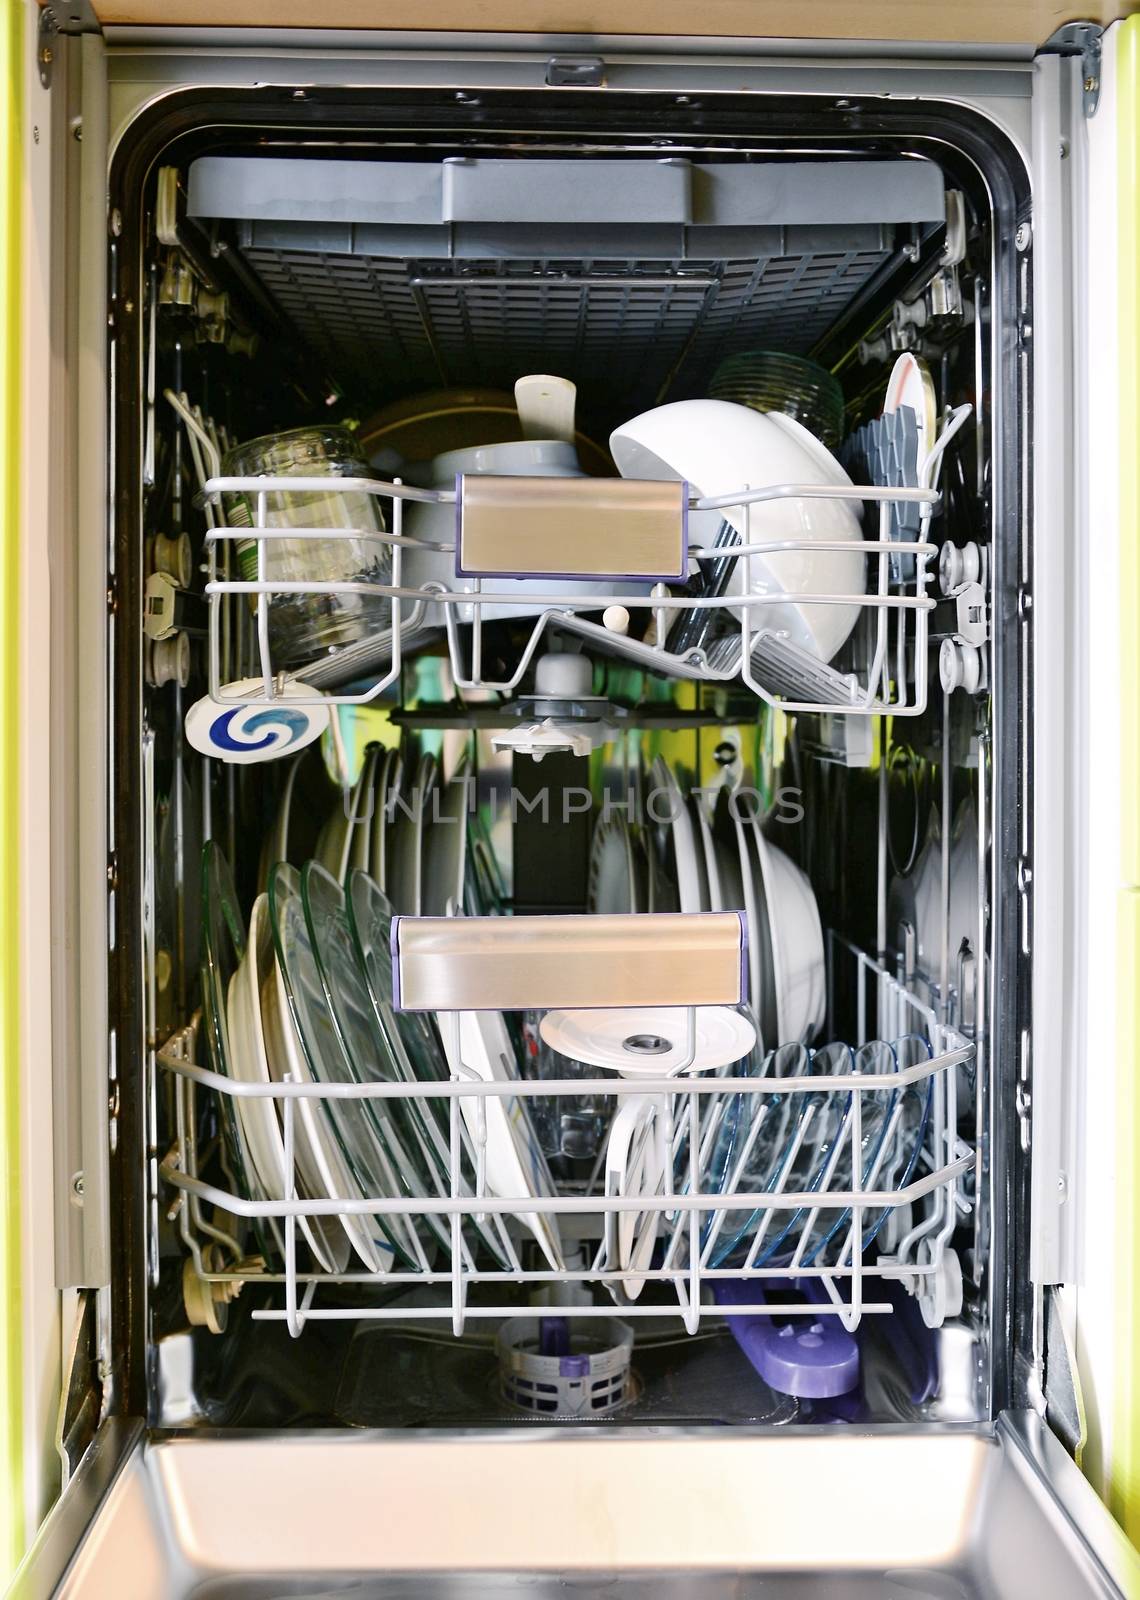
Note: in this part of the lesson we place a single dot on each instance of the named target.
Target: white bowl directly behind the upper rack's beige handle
(526, 458)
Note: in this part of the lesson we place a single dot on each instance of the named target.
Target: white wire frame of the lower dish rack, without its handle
(926, 1207)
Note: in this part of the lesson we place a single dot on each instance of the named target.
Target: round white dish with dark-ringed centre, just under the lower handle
(603, 1039)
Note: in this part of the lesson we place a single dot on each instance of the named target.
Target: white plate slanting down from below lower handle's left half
(515, 1158)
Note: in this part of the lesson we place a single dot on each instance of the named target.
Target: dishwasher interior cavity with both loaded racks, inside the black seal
(811, 750)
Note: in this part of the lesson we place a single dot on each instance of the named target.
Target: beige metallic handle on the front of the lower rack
(550, 964)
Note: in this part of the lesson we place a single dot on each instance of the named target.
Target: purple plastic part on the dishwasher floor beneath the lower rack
(814, 1359)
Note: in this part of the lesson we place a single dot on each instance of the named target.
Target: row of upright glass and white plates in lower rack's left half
(308, 994)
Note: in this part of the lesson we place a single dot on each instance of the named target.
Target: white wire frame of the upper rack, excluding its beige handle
(893, 678)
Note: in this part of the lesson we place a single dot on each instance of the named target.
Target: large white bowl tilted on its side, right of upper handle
(718, 447)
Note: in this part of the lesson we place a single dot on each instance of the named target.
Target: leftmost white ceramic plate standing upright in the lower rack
(260, 1119)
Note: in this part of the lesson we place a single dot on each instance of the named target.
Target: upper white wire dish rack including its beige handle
(636, 532)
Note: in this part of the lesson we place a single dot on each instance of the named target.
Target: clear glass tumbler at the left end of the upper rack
(305, 626)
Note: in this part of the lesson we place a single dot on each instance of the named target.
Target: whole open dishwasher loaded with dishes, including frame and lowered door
(566, 604)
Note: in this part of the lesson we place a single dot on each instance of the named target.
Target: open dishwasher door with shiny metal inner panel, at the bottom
(998, 1514)
